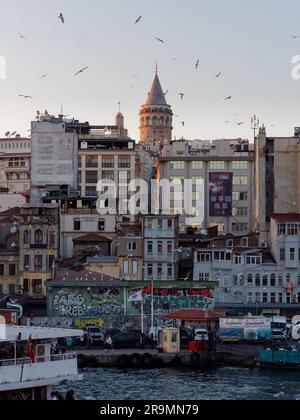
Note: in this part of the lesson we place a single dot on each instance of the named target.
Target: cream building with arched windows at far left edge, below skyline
(15, 164)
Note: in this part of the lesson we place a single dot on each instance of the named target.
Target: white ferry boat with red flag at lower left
(29, 365)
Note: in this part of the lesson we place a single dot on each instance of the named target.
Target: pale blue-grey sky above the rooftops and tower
(250, 42)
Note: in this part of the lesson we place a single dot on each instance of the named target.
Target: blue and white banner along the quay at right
(248, 329)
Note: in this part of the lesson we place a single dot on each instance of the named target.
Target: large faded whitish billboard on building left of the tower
(54, 159)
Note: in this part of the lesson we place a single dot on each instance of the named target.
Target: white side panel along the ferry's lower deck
(22, 373)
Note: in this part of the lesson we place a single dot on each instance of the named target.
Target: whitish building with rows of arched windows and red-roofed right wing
(253, 278)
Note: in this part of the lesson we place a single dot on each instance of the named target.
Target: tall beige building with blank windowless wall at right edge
(277, 178)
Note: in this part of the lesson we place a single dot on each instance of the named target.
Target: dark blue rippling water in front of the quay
(170, 384)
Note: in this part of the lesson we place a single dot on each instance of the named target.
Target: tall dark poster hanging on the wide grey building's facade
(220, 194)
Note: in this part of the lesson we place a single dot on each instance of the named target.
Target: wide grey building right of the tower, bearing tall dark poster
(212, 162)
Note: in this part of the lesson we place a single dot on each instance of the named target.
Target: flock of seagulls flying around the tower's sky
(61, 18)
